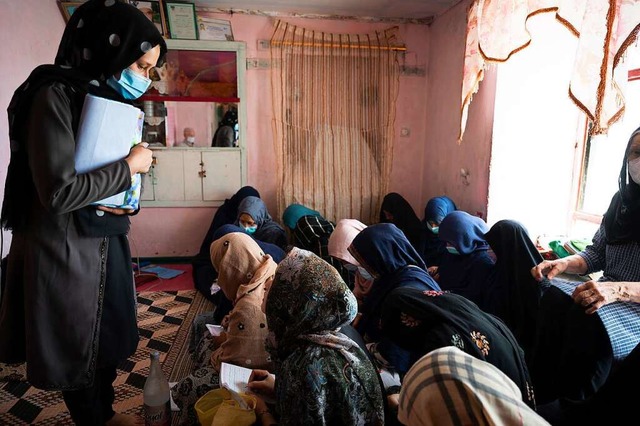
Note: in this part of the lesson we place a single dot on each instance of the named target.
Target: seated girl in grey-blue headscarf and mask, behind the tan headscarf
(255, 220)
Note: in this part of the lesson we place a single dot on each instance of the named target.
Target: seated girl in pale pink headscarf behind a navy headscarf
(339, 242)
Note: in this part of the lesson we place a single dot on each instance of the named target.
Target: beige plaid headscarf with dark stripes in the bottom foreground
(450, 387)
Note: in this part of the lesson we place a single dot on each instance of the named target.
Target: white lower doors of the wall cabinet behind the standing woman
(192, 177)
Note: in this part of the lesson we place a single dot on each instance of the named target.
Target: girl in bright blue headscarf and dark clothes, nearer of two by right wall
(466, 268)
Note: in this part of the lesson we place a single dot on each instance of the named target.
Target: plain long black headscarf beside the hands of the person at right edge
(513, 293)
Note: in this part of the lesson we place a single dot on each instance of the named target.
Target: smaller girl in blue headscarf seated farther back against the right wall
(434, 212)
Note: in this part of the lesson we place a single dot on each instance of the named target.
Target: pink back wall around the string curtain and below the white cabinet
(188, 225)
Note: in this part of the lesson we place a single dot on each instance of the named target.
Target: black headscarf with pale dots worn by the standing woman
(102, 38)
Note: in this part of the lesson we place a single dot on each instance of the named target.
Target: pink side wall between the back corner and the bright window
(443, 157)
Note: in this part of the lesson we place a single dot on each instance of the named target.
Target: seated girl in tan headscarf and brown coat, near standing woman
(243, 269)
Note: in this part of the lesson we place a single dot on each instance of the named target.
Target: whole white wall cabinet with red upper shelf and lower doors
(199, 83)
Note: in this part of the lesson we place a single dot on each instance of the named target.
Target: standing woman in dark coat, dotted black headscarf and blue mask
(69, 308)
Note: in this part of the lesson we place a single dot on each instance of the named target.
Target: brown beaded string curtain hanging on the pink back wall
(334, 107)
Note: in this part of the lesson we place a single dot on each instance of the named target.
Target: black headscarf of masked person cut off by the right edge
(621, 222)
